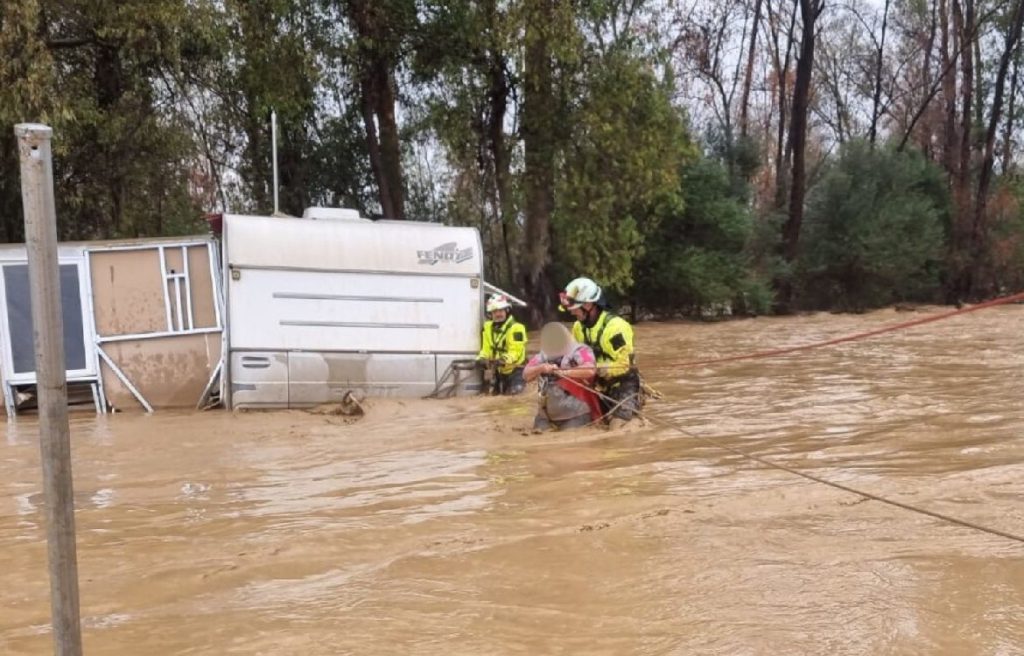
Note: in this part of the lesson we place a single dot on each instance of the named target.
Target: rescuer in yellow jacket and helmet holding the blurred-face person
(612, 339)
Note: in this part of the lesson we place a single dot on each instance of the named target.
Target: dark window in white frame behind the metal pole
(23, 360)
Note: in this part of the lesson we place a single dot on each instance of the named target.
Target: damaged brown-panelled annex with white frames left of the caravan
(143, 323)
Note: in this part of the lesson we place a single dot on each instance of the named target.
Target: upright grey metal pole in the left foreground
(55, 435)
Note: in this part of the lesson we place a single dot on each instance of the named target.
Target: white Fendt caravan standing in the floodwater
(332, 303)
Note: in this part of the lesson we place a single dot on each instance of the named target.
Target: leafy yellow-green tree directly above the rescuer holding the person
(621, 171)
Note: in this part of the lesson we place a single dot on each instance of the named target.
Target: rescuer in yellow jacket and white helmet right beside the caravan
(503, 347)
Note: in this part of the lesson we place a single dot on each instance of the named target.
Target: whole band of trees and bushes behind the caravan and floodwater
(698, 159)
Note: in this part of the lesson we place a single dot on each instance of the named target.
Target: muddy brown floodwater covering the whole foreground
(444, 529)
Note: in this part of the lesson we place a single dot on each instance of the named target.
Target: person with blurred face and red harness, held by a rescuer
(566, 370)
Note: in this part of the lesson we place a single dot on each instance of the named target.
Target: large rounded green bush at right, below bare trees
(874, 232)
